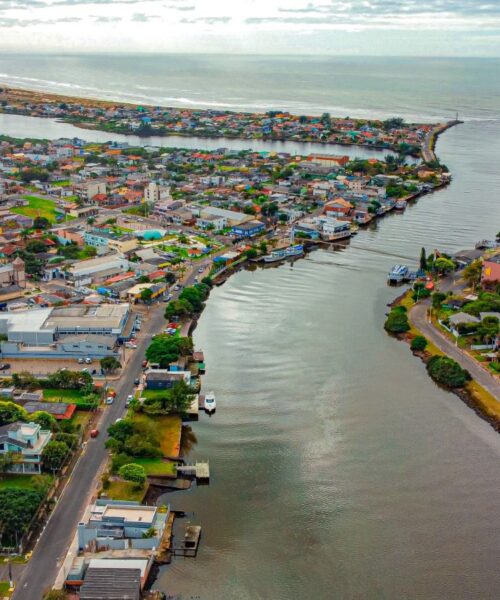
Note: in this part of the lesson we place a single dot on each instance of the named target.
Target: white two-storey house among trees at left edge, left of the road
(27, 441)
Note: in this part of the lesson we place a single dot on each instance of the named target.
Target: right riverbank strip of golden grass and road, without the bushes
(476, 393)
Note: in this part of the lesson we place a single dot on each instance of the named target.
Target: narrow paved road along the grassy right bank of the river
(418, 317)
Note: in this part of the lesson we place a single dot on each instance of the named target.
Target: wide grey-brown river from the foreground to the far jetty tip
(339, 469)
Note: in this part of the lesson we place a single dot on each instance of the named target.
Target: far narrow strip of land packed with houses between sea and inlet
(146, 120)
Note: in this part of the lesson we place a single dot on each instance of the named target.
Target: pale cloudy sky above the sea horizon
(386, 27)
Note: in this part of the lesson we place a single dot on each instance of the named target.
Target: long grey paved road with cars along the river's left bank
(41, 571)
